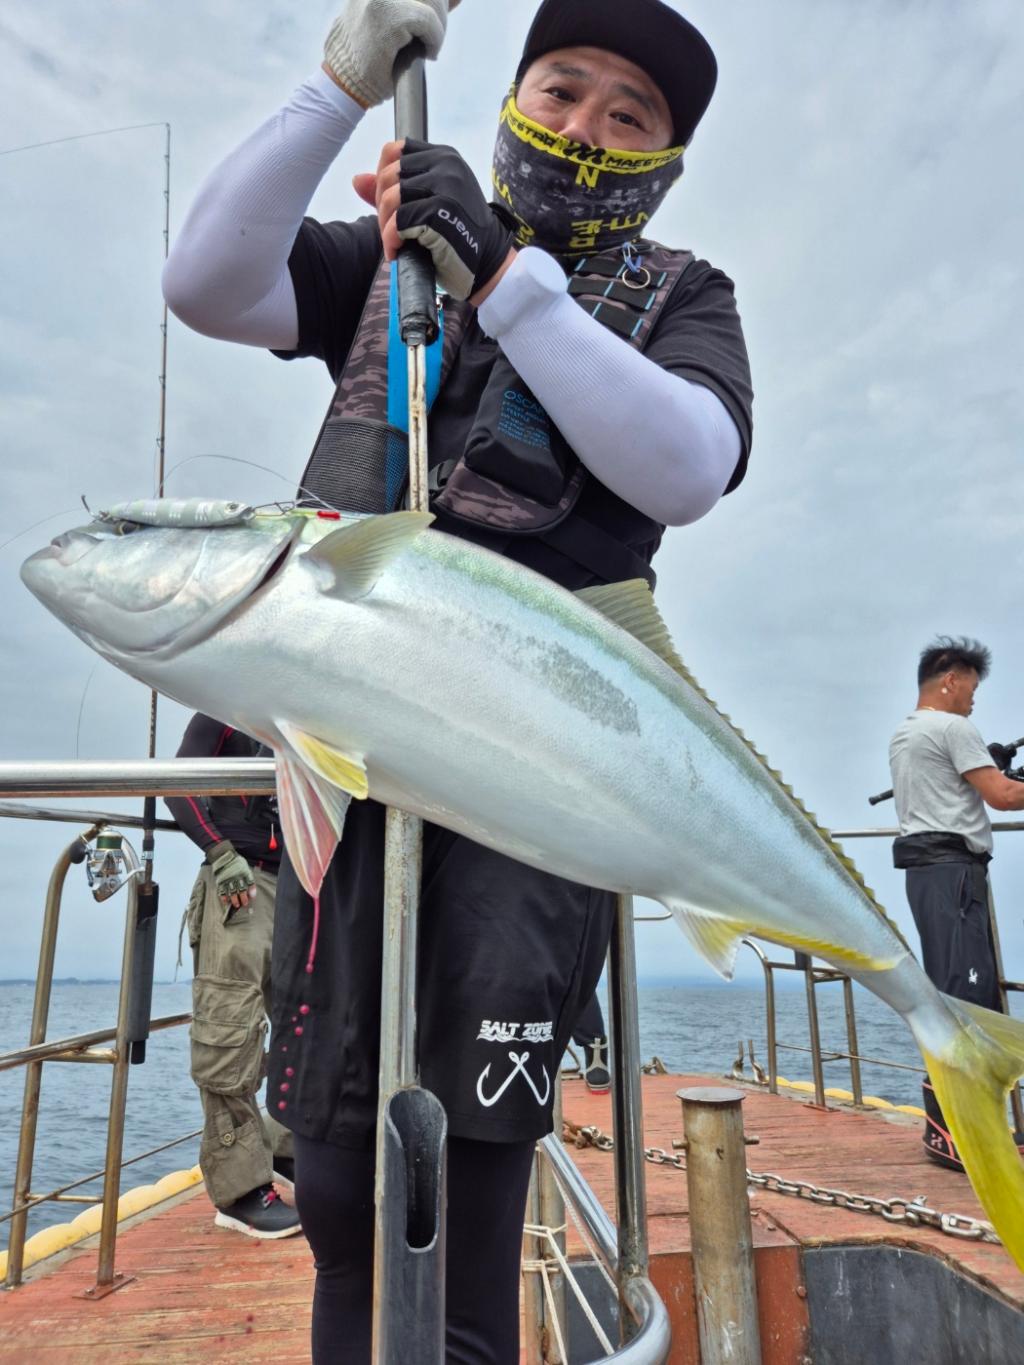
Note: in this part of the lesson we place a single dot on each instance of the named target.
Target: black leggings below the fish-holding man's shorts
(487, 1203)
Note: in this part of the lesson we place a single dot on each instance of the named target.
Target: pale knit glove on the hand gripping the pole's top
(369, 35)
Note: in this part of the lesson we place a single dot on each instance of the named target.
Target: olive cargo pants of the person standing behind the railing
(231, 997)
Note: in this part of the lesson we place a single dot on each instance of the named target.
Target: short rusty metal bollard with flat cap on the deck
(720, 1226)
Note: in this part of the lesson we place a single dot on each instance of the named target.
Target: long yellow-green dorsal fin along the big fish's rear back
(631, 607)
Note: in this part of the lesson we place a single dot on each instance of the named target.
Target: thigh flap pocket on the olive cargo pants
(227, 1035)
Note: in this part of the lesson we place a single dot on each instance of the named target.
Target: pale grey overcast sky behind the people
(858, 177)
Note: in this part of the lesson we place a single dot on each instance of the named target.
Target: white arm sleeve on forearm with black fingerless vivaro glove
(666, 446)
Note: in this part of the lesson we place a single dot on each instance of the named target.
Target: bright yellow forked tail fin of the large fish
(973, 1079)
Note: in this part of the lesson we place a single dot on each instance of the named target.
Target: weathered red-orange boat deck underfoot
(204, 1293)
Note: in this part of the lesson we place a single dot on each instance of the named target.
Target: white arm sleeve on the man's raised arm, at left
(227, 275)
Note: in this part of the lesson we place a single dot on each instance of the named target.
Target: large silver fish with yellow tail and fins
(379, 659)
